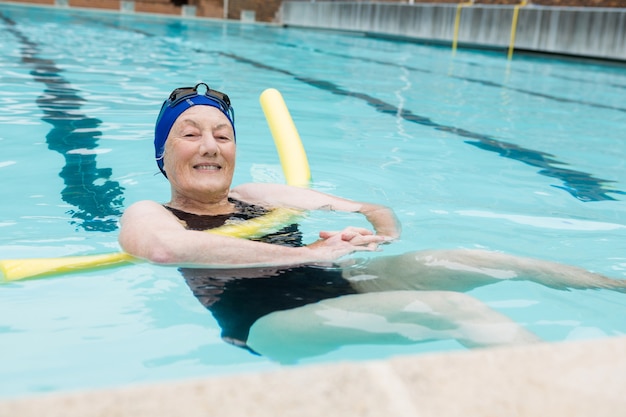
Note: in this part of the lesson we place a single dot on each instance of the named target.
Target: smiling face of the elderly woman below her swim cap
(199, 158)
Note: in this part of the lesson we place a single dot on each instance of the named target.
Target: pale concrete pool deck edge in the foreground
(582, 378)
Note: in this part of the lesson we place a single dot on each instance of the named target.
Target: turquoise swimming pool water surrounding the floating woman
(524, 157)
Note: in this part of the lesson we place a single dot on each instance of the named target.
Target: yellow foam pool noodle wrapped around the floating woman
(295, 167)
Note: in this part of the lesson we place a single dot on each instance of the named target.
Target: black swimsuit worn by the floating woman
(238, 297)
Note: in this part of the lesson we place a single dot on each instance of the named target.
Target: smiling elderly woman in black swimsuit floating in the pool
(243, 282)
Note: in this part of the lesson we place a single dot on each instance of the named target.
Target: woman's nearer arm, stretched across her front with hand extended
(151, 232)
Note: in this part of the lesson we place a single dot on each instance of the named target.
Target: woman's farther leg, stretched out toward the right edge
(465, 269)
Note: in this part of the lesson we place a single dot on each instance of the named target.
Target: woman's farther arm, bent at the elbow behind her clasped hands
(382, 218)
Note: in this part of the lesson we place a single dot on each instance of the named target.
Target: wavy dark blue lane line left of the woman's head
(98, 204)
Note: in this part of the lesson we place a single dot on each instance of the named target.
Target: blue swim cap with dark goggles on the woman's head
(180, 100)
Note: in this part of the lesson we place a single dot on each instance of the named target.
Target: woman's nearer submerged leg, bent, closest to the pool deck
(391, 317)
